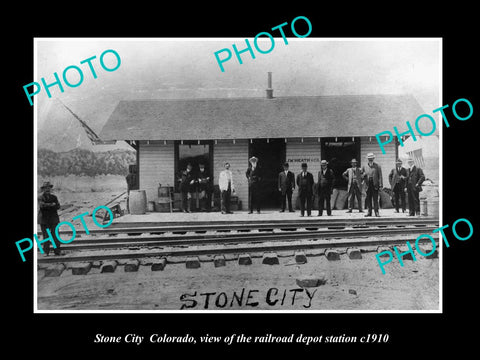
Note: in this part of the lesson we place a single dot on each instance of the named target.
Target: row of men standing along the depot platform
(199, 186)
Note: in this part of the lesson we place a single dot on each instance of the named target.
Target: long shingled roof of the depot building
(246, 118)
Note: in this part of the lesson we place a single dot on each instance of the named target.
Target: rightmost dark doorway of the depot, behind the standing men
(339, 153)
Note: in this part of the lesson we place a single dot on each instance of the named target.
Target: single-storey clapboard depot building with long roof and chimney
(168, 134)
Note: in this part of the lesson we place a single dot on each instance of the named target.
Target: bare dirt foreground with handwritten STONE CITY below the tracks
(350, 285)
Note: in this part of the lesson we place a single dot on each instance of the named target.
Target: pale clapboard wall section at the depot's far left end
(156, 165)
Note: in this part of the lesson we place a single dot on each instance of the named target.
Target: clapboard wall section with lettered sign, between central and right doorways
(308, 150)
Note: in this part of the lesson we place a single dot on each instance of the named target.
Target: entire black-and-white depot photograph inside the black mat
(303, 179)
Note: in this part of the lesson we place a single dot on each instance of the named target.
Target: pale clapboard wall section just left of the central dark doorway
(237, 155)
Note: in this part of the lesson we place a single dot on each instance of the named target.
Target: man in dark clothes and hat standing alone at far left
(48, 216)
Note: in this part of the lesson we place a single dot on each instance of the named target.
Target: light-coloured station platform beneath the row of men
(151, 218)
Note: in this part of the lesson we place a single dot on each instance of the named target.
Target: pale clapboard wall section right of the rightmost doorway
(386, 161)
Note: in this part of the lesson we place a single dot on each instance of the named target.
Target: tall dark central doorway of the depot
(271, 157)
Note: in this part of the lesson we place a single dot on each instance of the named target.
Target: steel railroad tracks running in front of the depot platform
(236, 238)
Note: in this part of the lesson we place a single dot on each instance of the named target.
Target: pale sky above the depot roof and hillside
(187, 68)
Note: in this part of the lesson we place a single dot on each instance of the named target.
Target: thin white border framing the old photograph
(35, 255)
